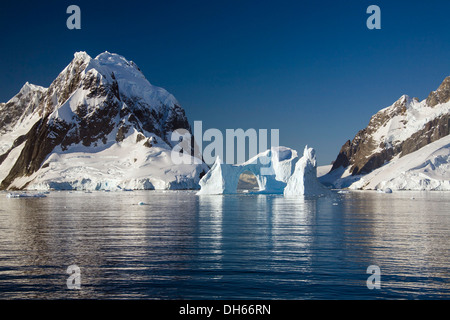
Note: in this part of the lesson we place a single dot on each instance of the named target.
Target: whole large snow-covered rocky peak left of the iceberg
(100, 125)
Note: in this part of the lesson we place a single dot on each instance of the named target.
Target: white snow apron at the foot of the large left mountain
(128, 165)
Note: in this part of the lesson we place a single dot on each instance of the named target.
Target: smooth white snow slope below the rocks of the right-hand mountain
(425, 169)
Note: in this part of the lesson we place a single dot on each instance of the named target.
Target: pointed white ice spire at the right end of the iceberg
(304, 179)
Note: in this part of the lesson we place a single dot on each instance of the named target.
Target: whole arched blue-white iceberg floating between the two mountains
(278, 170)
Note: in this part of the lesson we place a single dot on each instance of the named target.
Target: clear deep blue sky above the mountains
(309, 68)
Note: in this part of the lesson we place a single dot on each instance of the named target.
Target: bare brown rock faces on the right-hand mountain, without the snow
(364, 153)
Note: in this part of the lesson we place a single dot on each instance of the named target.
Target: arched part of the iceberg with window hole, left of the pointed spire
(272, 169)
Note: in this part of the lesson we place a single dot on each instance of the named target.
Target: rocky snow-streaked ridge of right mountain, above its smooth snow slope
(392, 133)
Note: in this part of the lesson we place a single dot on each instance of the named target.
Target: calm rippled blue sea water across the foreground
(182, 246)
